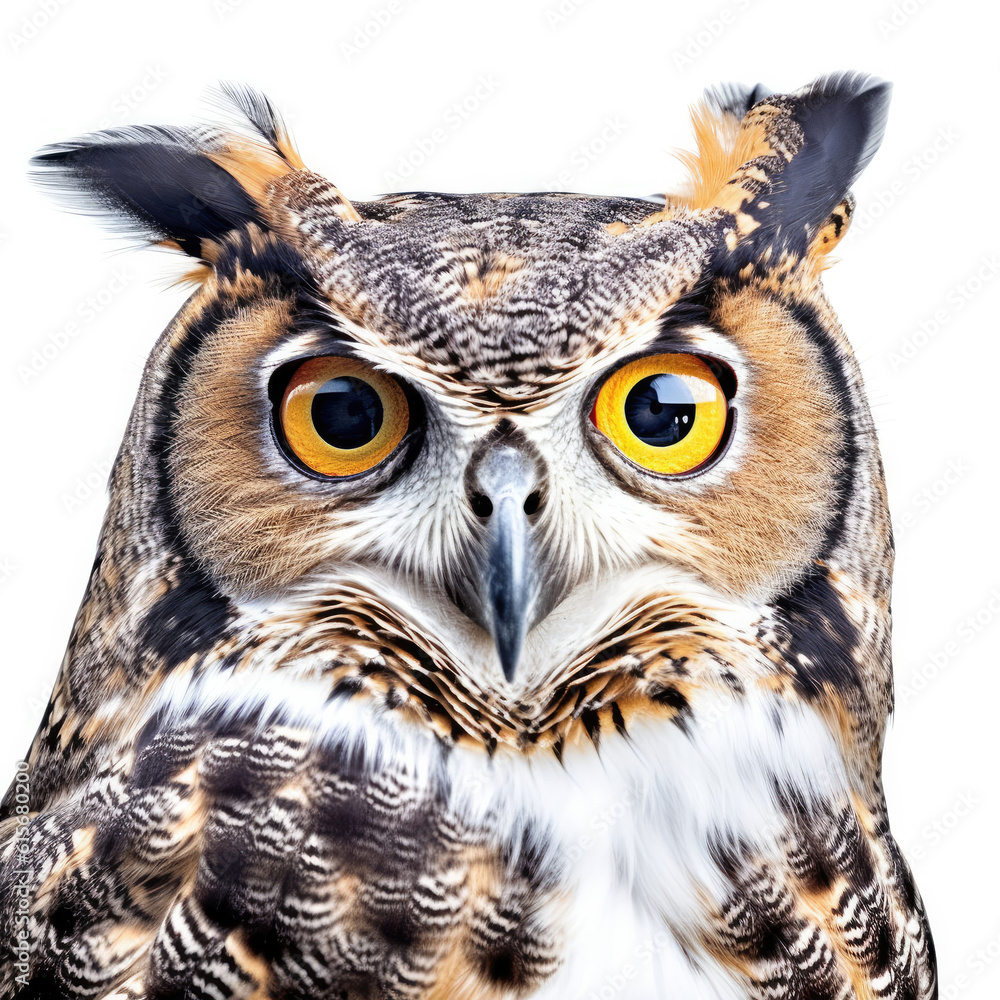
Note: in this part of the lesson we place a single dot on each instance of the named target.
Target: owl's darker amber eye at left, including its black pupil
(341, 417)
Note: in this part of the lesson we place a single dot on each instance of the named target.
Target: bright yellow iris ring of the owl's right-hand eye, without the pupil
(697, 445)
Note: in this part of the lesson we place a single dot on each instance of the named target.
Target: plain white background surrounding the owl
(588, 96)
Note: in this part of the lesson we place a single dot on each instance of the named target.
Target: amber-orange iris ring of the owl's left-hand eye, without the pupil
(300, 431)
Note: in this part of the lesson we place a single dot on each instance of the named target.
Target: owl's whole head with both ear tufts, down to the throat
(519, 453)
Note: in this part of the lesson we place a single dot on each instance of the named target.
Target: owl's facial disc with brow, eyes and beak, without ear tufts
(494, 490)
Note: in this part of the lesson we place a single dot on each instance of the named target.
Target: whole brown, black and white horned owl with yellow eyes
(493, 598)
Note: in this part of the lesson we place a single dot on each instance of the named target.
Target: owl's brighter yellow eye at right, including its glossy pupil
(666, 412)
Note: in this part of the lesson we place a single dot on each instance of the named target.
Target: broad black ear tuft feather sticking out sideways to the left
(158, 181)
